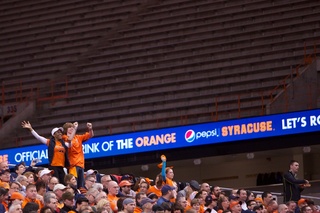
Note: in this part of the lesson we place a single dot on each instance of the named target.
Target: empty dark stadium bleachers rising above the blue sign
(135, 65)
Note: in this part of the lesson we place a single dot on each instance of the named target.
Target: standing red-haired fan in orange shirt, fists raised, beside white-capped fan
(76, 155)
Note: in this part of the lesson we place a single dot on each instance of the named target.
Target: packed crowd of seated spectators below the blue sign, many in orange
(38, 190)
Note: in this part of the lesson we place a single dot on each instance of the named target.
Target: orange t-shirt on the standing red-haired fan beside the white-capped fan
(75, 152)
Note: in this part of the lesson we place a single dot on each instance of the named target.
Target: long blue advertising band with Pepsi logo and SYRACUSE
(182, 137)
